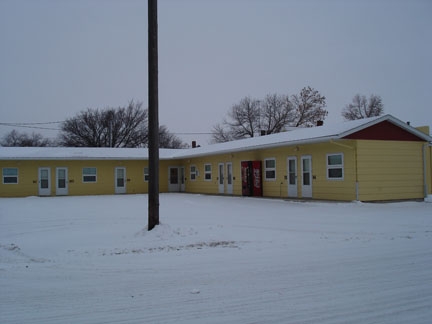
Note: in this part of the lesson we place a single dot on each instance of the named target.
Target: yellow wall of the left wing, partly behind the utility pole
(105, 183)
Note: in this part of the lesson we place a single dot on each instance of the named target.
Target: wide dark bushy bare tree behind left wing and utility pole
(121, 127)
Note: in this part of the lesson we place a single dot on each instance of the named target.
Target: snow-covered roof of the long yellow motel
(293, 137)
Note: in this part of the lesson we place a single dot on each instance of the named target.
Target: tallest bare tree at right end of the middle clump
(309, 107)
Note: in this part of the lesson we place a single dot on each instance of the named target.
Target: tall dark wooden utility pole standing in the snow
(153, 107)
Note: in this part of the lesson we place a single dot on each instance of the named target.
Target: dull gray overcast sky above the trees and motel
(59, 57)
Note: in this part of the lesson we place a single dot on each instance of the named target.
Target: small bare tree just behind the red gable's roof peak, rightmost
(361, 107)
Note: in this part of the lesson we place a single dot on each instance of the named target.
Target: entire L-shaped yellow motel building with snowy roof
(380, 158)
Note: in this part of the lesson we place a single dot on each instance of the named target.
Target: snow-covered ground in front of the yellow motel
(214, 260)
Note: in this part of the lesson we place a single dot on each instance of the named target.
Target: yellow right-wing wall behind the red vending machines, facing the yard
(322, 188)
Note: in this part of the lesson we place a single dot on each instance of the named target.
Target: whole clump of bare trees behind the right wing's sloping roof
(274, 114)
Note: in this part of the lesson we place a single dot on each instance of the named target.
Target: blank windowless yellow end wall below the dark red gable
(390, 170)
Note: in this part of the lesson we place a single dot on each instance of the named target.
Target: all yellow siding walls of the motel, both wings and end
(384, 170)
